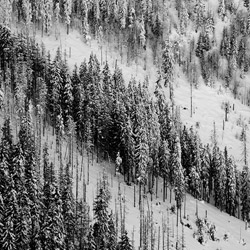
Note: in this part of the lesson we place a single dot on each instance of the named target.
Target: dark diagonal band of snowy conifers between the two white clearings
(109, 117)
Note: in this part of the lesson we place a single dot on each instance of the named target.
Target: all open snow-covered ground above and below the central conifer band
(207, 103)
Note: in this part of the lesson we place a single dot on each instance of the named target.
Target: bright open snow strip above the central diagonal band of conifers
(207, 101)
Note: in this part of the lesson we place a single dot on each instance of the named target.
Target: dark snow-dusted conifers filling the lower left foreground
(39, 211)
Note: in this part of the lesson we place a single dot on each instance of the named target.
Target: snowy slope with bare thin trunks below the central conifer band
(238, 237)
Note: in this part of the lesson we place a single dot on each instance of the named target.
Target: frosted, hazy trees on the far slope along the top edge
(136, 26)
